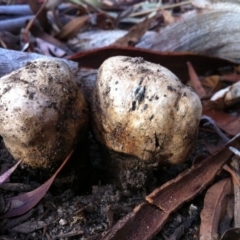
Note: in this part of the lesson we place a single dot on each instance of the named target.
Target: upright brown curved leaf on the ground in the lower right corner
(211, 212)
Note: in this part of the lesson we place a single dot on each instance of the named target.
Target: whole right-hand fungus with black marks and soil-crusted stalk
(144, 117)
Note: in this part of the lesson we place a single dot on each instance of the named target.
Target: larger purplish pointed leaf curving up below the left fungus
(24, 202)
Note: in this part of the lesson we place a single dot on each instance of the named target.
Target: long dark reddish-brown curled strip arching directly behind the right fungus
(176, 62)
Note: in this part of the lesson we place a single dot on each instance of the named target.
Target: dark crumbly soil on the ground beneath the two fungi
(82, 204)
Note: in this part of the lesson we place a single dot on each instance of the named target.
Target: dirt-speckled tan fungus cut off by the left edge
(42, 112)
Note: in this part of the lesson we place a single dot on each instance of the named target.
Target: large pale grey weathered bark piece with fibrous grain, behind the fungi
(213, 30)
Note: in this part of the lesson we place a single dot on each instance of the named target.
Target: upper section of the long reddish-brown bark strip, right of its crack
(181, 189)
